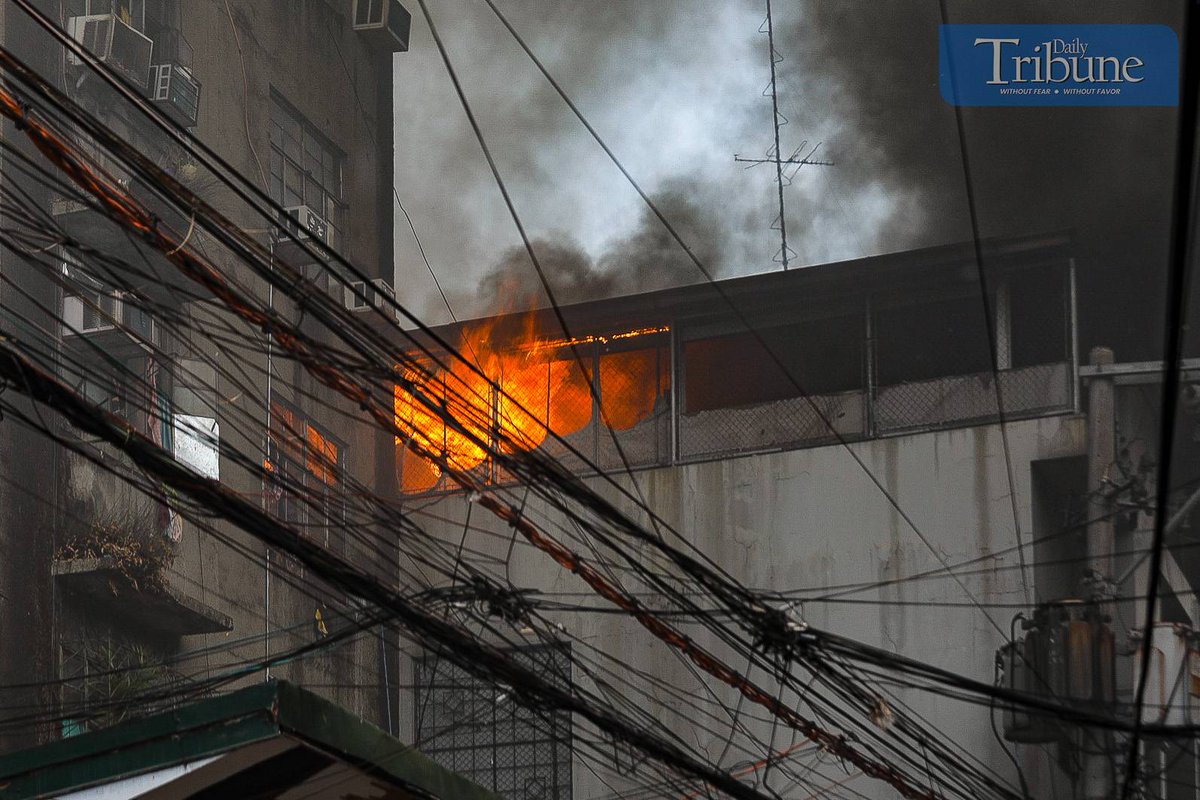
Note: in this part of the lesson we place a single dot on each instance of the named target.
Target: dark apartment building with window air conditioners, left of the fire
(298, 97)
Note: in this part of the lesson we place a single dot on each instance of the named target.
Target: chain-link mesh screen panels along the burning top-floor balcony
(896, 363)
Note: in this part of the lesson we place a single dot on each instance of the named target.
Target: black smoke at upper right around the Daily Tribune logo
(1105, 175)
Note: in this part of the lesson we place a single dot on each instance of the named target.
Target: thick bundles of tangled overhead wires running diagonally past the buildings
(358, 368)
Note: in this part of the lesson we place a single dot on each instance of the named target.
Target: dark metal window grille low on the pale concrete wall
(477, 729)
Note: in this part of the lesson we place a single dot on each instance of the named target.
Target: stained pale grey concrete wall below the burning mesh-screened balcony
(809, 520)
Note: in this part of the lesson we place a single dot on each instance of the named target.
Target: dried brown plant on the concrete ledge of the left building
(131, 542)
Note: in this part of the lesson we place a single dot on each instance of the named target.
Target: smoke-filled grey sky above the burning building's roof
(676, 88)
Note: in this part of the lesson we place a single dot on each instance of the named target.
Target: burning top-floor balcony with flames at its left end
(886, 346)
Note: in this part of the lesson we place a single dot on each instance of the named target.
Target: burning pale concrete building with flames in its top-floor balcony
(850, 425)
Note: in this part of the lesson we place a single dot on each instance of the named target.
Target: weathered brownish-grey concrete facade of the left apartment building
(250, 61)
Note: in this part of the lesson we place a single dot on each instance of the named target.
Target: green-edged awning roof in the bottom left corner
(272, 741)
